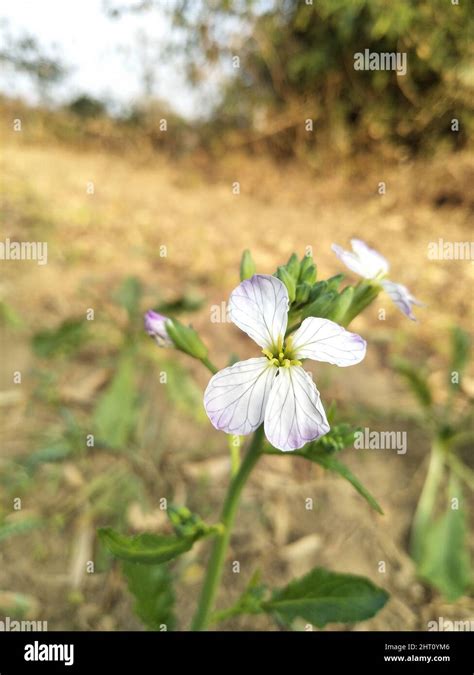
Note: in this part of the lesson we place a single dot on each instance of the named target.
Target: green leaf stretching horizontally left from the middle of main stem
(146, 547)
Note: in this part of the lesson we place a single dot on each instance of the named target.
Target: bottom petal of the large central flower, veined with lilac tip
(294, 414)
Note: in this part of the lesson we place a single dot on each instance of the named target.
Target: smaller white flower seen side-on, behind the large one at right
(369, 264)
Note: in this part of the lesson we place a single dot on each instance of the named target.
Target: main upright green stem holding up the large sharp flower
(221, 542)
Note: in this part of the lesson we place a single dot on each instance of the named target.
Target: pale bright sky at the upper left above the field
(102, 53)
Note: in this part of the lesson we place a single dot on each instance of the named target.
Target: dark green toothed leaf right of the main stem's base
(323, 597)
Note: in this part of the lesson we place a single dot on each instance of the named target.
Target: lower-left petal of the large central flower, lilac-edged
(235, 397)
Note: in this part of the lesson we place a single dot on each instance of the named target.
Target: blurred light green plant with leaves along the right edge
(439, 540)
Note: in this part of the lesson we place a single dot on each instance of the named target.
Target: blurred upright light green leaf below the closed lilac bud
(115, 414)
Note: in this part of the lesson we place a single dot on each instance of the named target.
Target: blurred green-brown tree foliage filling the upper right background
(301, 56)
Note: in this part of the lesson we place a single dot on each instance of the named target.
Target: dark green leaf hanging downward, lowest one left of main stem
(151, 586)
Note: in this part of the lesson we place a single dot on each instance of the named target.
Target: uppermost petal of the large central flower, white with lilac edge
(259, 307)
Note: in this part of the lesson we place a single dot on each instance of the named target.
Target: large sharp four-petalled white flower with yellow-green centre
(274, 388)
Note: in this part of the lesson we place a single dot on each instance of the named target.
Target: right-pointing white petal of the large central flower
(323, 340)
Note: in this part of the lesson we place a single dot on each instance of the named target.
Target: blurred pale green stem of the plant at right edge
(427, 501)
